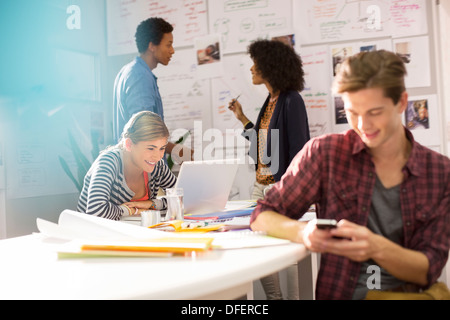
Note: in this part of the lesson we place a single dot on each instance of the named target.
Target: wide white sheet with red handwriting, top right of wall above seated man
(320, 21)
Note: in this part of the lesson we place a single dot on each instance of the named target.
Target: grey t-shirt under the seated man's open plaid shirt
(385, 218)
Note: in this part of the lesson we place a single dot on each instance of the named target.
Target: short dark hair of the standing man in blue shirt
(151, 30)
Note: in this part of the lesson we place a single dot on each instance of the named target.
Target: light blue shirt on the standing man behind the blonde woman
(135, 89)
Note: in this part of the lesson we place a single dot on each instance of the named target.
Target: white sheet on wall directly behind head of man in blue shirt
(188, 17)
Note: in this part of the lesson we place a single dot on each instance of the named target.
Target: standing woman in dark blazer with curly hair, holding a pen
(281, 129)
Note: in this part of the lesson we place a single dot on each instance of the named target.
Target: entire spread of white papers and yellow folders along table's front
(93, 236)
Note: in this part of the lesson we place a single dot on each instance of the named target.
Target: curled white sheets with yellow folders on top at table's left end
(90, 235)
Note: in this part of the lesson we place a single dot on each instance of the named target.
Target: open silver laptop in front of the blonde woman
(206, 184)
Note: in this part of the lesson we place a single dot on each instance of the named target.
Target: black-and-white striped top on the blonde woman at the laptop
(105, 188)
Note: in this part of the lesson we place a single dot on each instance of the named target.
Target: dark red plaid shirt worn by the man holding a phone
(336, 173)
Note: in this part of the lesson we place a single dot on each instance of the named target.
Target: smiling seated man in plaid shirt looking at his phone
(390, 194)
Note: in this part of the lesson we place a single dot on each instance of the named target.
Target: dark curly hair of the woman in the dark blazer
(279, 64)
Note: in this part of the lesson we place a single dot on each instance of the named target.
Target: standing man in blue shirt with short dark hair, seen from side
(135, 87)
